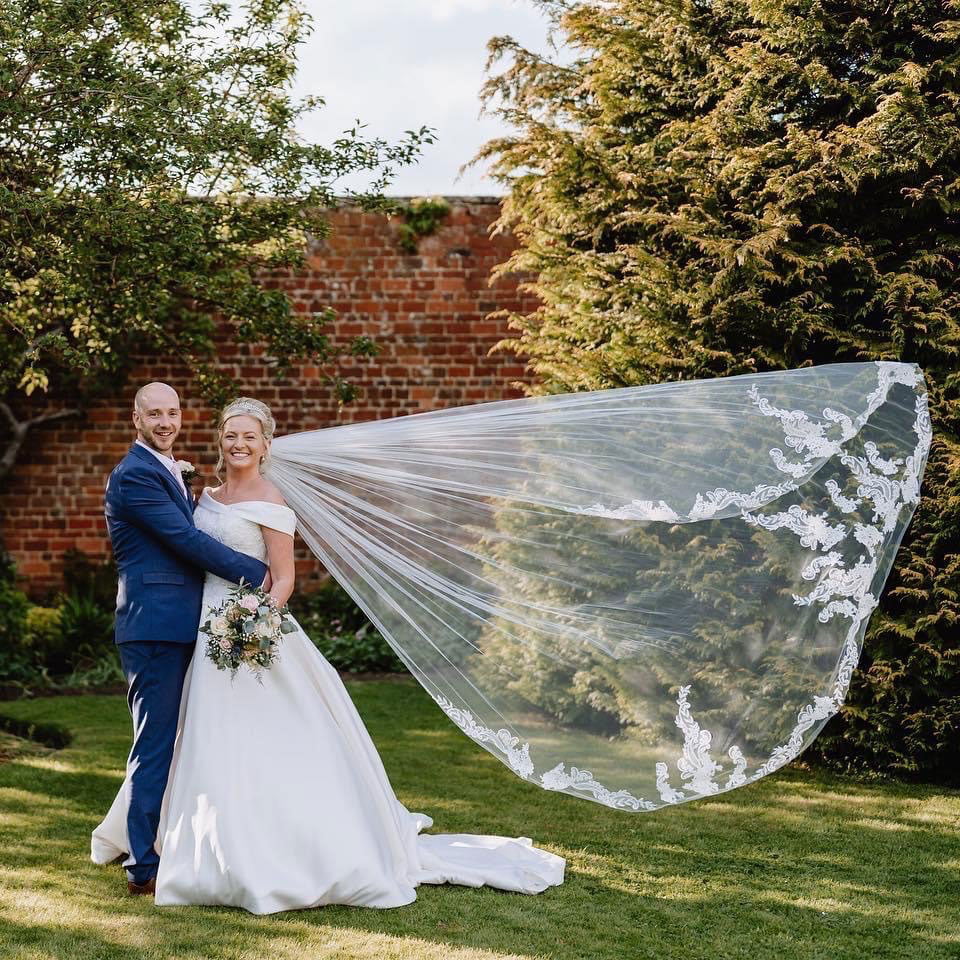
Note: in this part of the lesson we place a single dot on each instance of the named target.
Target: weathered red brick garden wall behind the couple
(428, 312)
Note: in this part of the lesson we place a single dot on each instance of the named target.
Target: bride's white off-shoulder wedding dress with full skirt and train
(277, 798)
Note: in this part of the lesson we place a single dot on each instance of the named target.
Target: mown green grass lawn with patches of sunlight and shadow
(797, 867)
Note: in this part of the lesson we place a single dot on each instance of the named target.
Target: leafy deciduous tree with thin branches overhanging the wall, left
(150, 175)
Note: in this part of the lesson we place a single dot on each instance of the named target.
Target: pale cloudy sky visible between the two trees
(397, 65)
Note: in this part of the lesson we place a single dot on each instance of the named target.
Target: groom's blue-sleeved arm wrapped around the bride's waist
(146, 504)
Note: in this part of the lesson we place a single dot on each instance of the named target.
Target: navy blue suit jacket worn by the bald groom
(161, 556)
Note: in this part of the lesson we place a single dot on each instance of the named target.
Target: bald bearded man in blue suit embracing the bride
(161, 558)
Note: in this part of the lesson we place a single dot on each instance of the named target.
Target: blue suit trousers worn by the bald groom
(155, 673)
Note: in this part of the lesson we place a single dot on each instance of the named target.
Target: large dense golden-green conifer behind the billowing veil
(706, 189)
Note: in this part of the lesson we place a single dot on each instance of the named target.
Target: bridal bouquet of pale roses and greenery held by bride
(245, 629)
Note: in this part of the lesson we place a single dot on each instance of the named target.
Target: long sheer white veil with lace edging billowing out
(638, 596)
